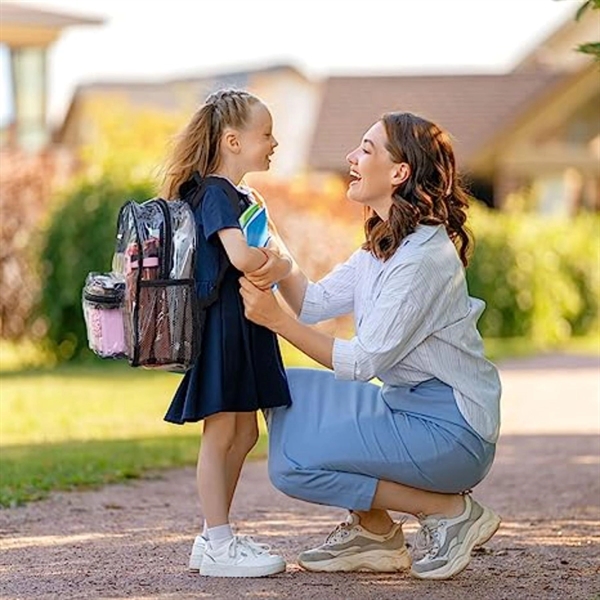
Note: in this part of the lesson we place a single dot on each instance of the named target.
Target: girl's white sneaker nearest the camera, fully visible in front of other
(242, 557)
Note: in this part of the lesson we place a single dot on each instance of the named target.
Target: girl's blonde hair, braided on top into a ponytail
(196, 148)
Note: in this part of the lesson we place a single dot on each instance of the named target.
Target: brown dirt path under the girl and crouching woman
(132, 541)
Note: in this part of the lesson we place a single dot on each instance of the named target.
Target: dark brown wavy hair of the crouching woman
(432, 194)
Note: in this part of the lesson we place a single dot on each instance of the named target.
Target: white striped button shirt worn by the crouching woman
(414, 320)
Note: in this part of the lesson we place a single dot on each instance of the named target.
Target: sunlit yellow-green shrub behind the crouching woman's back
(538, 275)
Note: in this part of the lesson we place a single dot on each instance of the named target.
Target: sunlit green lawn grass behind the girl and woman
(77, 426)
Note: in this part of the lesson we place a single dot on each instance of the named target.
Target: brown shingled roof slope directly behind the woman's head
(472, 108)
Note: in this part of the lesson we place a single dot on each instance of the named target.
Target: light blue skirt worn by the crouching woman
(339, 438)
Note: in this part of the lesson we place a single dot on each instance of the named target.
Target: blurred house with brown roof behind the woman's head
(533, 132)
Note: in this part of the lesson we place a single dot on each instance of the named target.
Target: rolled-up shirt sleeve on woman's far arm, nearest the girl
(333, 295)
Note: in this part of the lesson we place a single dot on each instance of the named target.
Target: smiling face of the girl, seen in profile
(257, 143)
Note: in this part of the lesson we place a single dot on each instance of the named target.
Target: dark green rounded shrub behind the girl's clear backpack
(80, 238)
